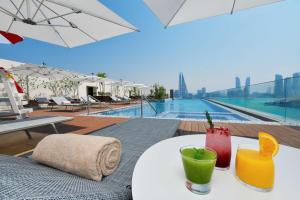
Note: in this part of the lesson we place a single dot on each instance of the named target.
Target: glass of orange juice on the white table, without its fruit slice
(254, 169)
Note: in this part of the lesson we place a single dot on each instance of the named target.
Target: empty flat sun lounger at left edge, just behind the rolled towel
(27, 123)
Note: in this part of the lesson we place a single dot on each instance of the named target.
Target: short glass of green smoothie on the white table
(198, 163)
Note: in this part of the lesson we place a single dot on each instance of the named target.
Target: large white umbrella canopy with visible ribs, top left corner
(67, 23)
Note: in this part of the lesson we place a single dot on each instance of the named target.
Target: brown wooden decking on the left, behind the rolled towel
(17, 142)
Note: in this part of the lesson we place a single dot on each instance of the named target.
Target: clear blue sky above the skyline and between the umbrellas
(257, 42)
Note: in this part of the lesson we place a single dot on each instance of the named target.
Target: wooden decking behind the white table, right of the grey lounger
(285, 135)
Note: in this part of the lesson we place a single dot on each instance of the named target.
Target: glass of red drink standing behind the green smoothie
(219, 139)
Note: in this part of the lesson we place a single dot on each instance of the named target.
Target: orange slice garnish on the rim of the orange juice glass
(268, 144)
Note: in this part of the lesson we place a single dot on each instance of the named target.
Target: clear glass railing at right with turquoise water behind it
(279, 99)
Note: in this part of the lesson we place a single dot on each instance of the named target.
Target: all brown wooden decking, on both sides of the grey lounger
(18, 143)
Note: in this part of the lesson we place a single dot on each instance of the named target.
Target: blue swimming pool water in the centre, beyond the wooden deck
(177, 109)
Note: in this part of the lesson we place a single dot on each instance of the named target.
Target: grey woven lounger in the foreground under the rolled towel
(22, 178)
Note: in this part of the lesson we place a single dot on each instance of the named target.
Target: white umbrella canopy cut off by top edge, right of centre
(172, 12)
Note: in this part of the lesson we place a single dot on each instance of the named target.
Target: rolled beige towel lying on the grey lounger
(84, 155)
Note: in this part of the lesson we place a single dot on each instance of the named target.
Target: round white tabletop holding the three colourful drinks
(159, 174)
